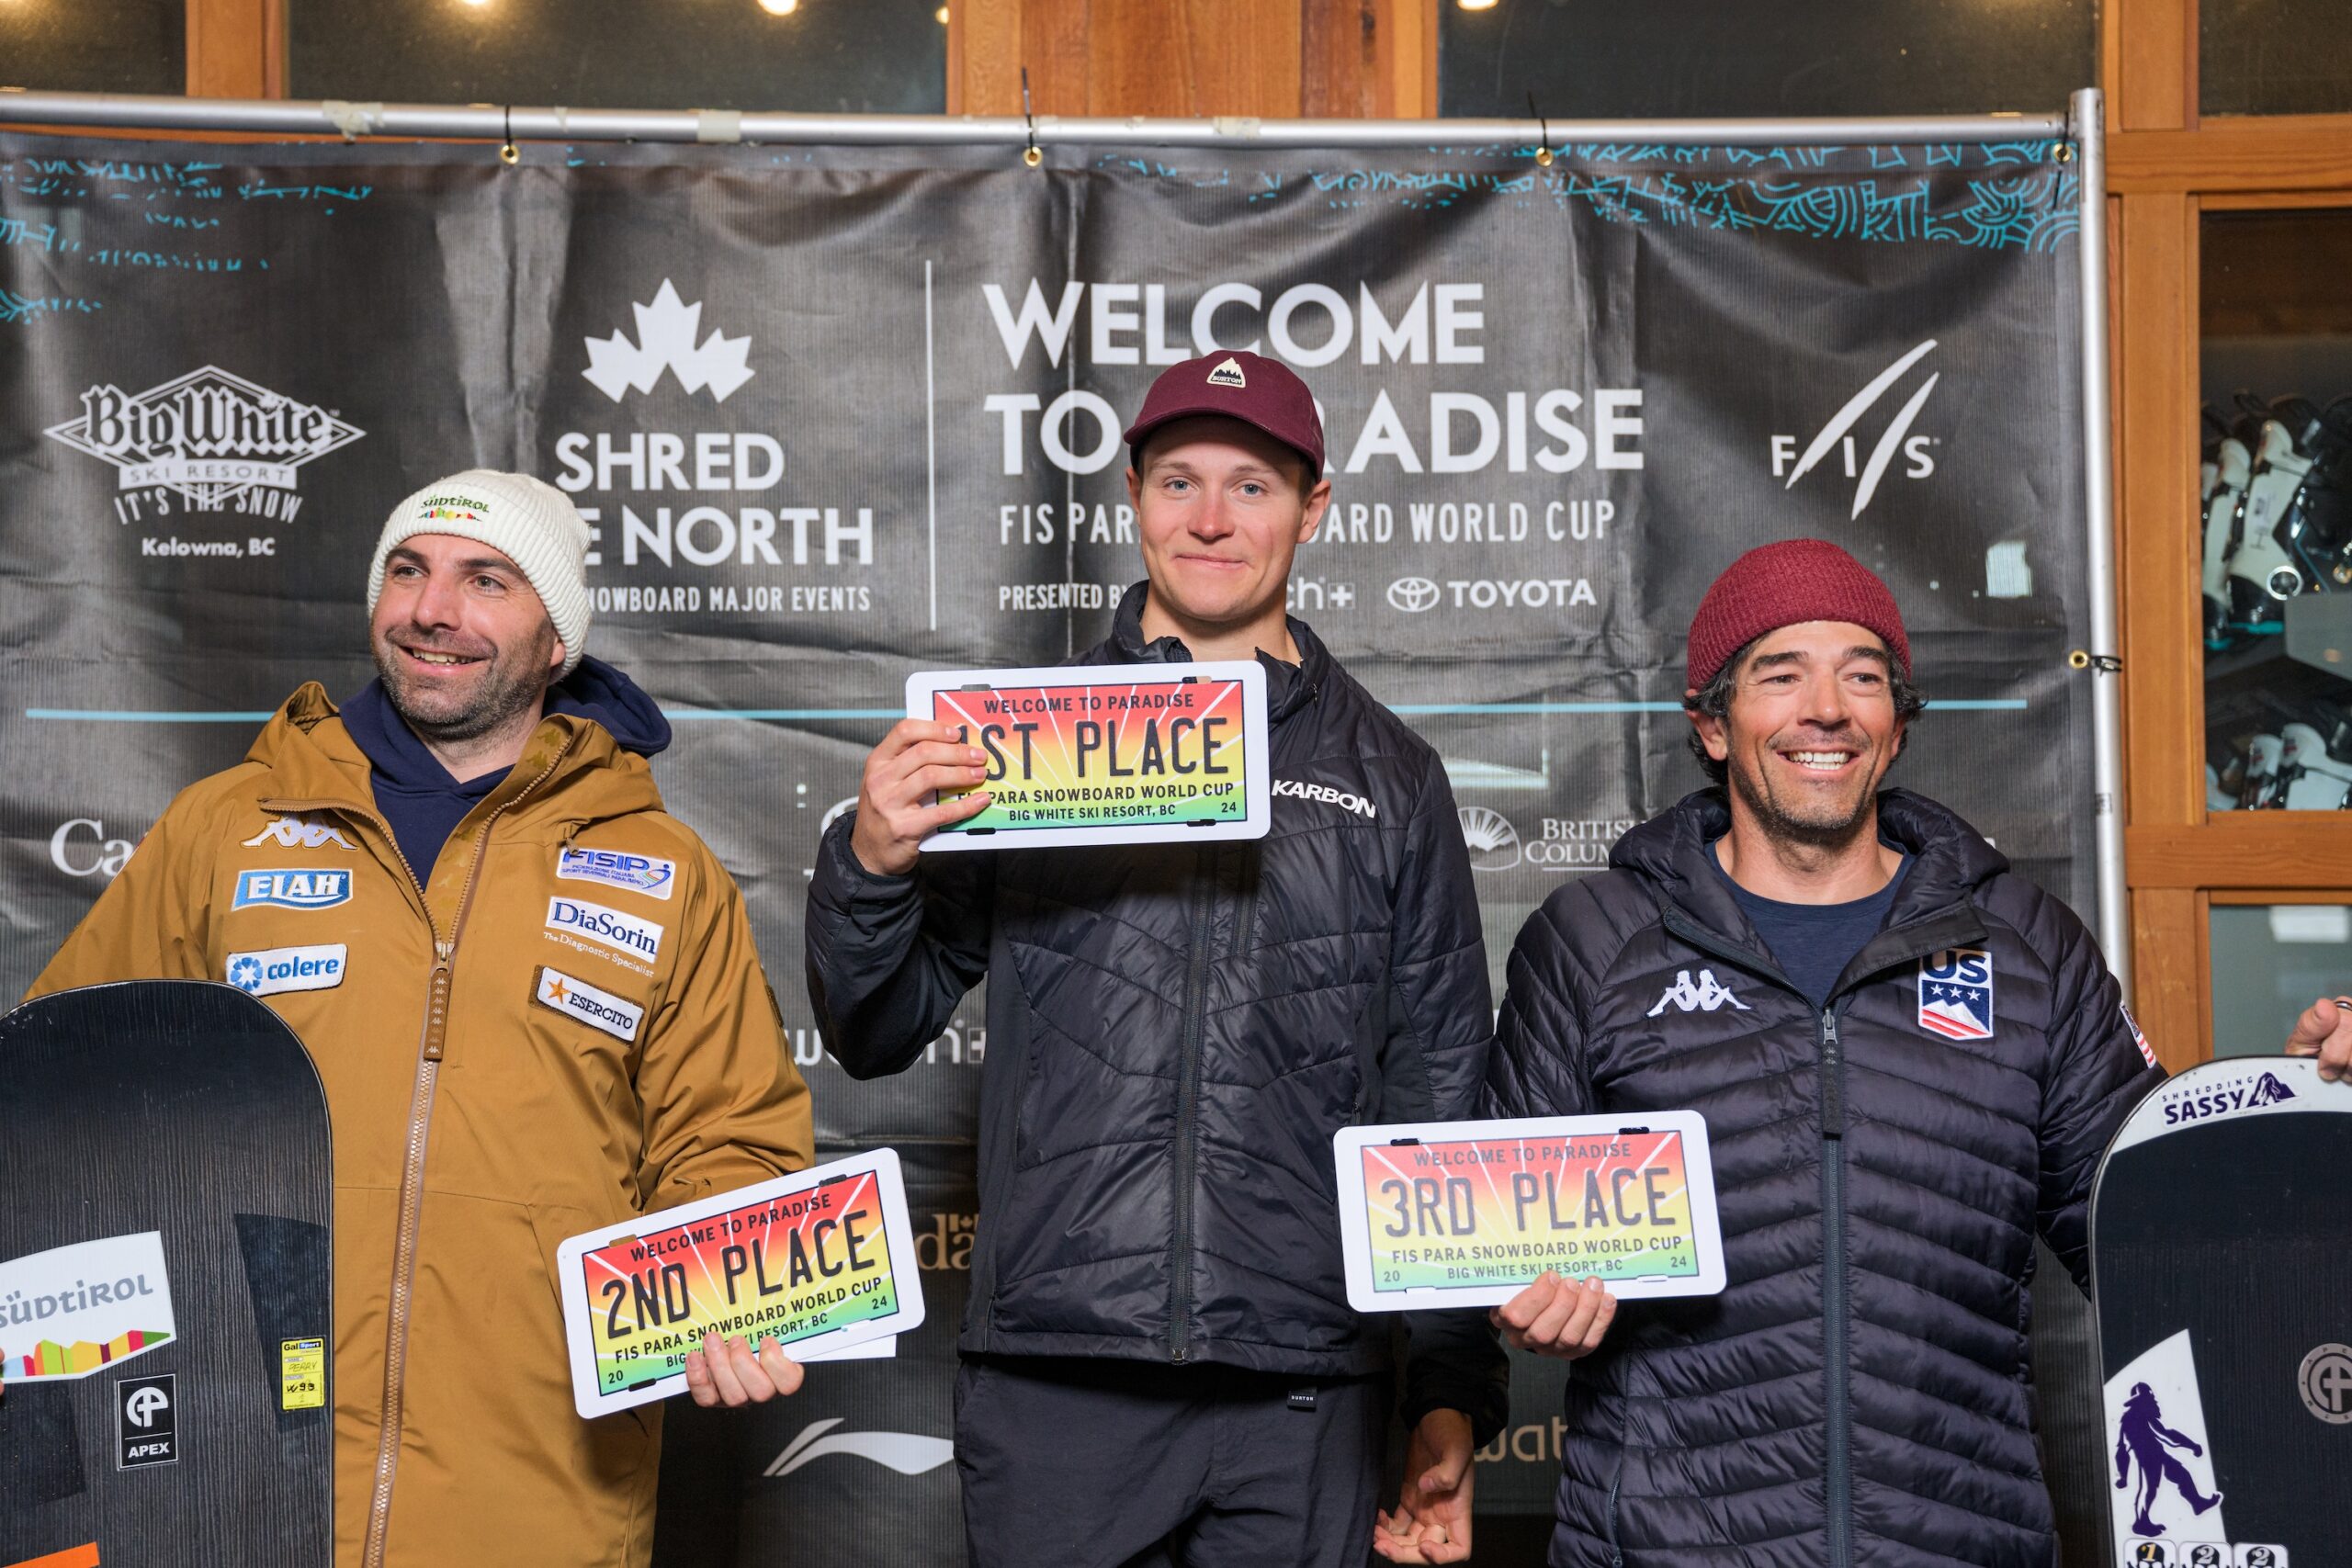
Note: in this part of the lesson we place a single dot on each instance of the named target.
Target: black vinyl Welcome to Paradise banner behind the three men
(848, 415)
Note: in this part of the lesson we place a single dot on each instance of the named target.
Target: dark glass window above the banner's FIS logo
(1603, 60)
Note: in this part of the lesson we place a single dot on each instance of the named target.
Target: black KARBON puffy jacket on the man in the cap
(1175, 1033)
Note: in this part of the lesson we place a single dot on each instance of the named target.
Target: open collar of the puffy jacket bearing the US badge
(1935, 909)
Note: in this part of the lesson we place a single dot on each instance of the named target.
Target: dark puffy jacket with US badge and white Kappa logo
(1862, 1391)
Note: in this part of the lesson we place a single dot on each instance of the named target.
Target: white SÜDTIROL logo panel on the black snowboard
(79, 1308)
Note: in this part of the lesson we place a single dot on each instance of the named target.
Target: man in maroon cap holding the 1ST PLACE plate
(1161, 1360)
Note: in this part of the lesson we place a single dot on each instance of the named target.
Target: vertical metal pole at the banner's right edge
(2090, 133)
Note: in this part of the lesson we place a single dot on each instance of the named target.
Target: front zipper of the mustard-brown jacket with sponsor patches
(432, 1047)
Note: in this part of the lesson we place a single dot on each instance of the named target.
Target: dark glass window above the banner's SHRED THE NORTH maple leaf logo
(784, 55)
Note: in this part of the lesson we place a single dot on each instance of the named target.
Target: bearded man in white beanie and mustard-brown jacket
(535, 1005)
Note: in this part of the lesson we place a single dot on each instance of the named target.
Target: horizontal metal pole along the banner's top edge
(493, 121)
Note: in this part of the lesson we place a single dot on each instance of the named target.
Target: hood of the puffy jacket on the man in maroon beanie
(1676, 855)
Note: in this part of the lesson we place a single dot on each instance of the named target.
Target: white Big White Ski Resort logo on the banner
(208, 445)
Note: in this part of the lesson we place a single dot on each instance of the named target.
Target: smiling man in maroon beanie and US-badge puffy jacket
(1909, 1059)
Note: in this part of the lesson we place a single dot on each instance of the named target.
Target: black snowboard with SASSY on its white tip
(2221, 1259)
